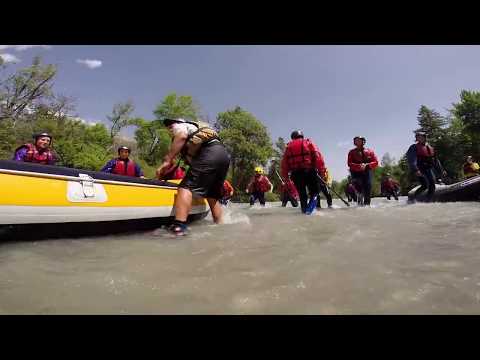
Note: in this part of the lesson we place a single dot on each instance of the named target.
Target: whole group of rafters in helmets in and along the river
(303, 172)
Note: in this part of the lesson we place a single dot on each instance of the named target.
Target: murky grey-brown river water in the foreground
(392, 258)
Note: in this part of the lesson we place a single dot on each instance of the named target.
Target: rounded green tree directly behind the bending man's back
(247, 141)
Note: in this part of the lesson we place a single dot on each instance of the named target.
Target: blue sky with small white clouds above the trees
(332, 93)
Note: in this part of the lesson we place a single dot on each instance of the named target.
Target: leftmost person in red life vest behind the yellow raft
(39, 152)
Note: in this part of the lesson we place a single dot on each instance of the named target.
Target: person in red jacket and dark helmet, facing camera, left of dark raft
(361, 162)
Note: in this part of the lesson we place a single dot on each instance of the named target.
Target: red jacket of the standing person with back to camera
(302, 154)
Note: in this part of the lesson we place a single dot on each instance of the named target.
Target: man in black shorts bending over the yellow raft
(209, 161)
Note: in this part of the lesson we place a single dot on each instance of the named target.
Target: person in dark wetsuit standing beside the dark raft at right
(423, 161)
